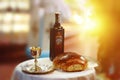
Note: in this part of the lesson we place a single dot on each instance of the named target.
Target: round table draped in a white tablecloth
(18, 74)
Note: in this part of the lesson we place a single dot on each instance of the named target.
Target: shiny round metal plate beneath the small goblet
(45, 68)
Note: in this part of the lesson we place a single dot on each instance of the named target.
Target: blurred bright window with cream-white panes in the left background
(14, 19)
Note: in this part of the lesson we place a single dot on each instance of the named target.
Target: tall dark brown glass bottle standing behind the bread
(56, 38)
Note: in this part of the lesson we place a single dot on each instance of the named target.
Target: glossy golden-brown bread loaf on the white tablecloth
(70, 62)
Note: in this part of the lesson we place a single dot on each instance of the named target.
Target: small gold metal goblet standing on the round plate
(35, 52)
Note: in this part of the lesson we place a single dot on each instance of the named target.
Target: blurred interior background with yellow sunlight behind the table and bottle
(91, 29)
